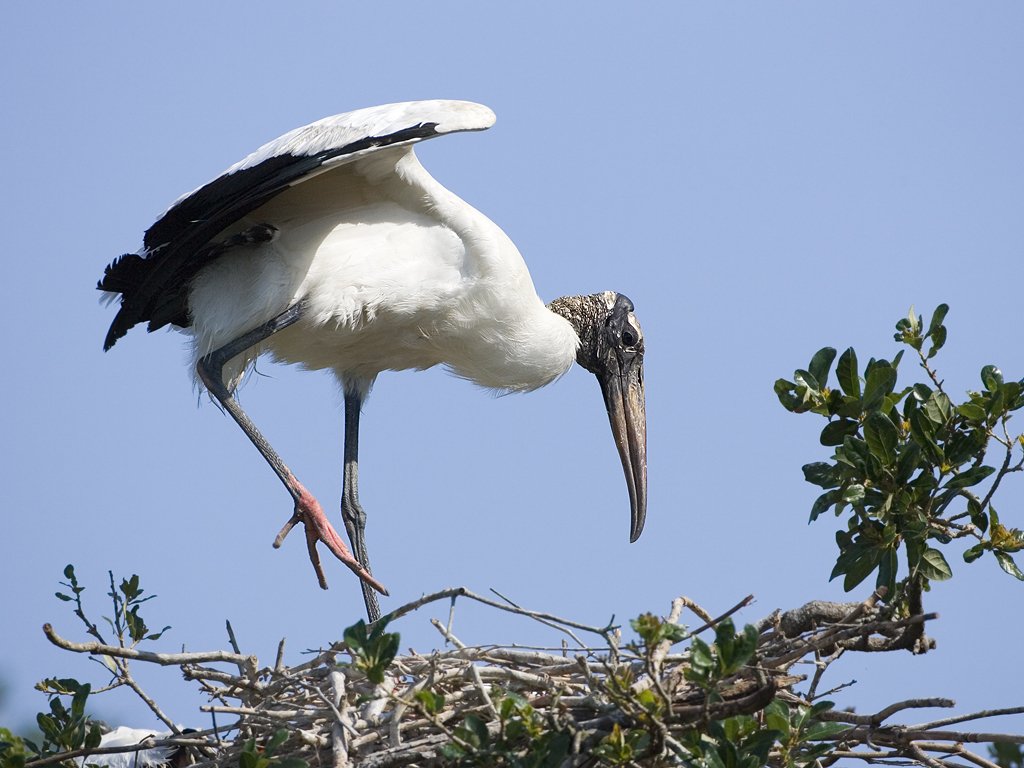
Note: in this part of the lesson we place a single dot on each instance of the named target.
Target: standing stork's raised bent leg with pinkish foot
(308, 510)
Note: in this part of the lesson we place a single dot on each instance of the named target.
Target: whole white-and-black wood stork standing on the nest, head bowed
(333, 248)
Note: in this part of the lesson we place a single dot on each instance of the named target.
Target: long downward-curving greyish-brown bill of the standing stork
(627, 411)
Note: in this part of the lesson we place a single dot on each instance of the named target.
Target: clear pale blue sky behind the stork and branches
(761, 180)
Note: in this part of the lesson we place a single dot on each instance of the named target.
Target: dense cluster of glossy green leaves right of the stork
(910, 462)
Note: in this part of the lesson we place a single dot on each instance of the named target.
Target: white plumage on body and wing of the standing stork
(395, 272)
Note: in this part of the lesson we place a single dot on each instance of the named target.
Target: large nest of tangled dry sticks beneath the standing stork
(335, 714)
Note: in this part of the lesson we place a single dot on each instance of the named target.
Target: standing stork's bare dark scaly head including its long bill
(612, 349)
